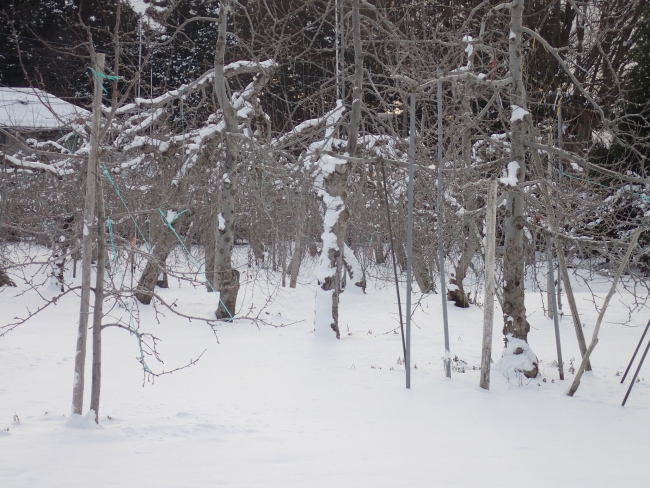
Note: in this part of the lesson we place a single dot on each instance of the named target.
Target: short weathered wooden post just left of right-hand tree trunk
(488, 307)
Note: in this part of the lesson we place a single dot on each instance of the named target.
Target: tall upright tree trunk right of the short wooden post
(514, 309)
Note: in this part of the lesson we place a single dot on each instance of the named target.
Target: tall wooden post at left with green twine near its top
(86, 245)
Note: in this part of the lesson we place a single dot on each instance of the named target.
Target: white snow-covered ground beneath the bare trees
(277, 407)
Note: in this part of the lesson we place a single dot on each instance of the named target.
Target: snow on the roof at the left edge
(31, 108)
